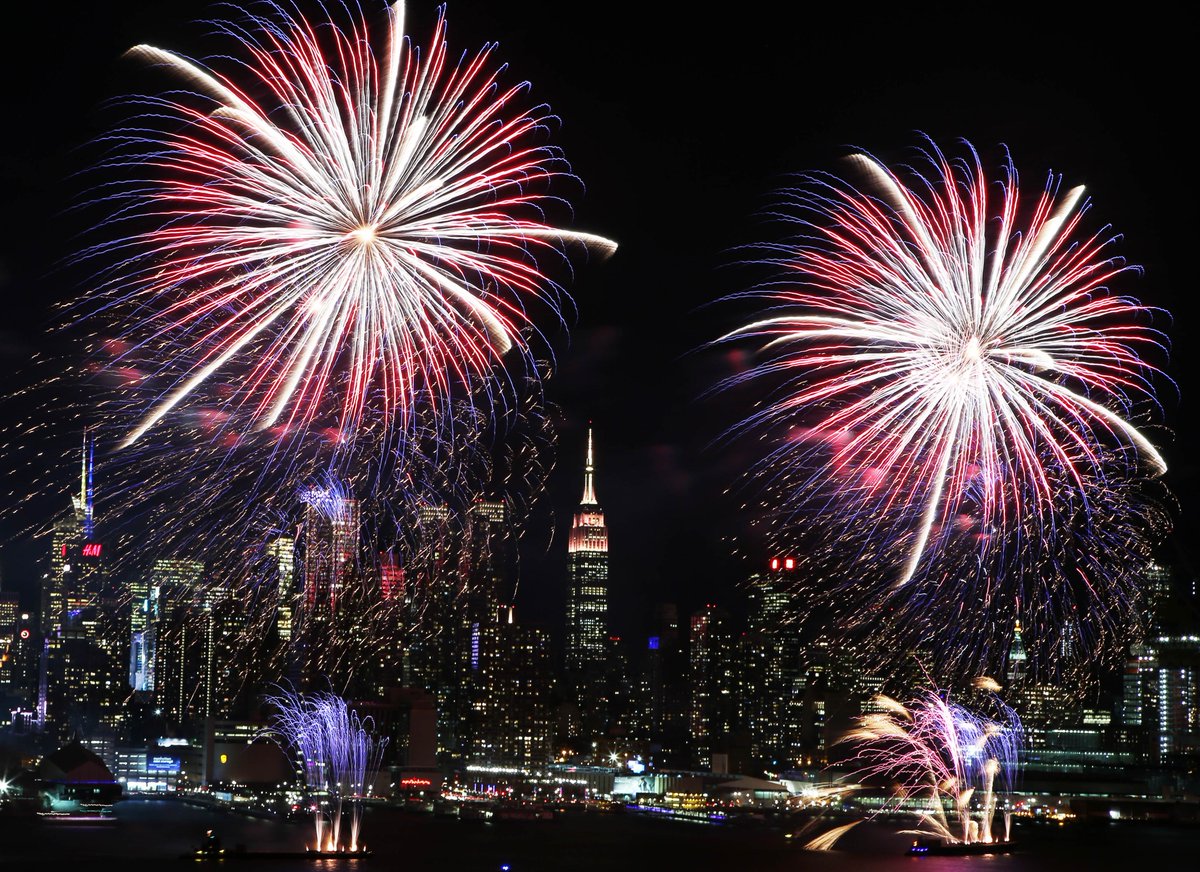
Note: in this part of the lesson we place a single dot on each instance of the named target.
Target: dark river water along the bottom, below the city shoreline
(153, 834)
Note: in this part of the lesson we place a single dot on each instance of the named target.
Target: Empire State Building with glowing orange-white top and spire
(587, 579)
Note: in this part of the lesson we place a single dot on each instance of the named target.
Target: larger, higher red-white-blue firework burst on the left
(341, 233)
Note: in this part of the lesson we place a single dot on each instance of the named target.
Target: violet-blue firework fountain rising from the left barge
(340, 759)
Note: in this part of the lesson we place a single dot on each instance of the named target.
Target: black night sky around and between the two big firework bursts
(681, 129)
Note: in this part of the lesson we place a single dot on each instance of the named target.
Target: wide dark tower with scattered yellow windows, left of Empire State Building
(511, 720)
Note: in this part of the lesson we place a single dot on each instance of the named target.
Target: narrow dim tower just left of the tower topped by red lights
(712, 677)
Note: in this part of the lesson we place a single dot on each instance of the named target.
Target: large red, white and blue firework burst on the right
(952, 365)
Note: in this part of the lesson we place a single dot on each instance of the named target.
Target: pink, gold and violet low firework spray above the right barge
(941, 751)
